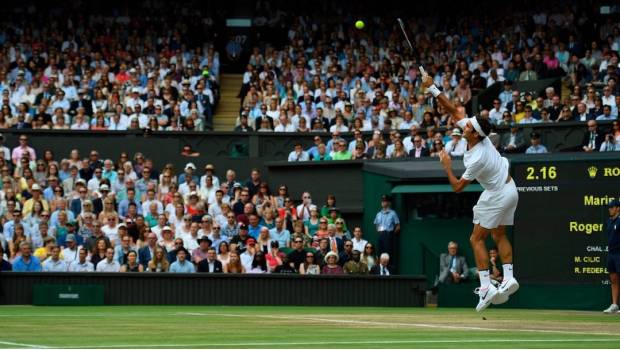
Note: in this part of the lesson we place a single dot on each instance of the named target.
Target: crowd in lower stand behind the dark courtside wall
(92, 214)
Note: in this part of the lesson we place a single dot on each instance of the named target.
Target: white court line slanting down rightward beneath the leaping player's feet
(418, 325)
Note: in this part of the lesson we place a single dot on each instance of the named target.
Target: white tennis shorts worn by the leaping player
(498, 207)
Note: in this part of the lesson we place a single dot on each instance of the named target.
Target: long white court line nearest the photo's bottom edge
(361, 342)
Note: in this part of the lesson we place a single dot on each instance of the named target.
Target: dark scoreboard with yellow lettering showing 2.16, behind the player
(559, 222)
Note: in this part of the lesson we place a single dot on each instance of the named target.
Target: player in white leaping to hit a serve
(496, 206)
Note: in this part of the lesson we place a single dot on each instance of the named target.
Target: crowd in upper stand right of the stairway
(331, 77)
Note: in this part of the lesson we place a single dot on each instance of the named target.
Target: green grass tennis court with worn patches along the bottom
(302, 327)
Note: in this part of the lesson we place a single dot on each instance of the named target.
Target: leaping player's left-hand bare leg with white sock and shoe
(487, 291)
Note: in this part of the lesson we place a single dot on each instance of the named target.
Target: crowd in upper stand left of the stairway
(66, 69)
